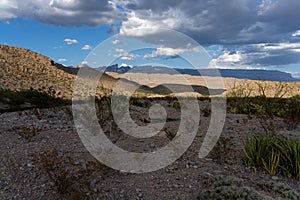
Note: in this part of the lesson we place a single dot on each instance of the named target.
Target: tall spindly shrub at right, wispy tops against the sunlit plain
(262, 106)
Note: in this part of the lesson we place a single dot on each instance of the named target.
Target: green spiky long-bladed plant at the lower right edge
(274, 154)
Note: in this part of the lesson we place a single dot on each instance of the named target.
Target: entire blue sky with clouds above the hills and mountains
(250, 34)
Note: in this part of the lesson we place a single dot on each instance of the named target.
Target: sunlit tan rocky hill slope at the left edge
(24, 69)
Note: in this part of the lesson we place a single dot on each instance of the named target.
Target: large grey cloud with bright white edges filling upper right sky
(252, 32)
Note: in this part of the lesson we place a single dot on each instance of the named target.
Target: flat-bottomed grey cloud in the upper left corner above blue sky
(63, 12)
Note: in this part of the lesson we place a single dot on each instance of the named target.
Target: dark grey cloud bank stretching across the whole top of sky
(237, 25)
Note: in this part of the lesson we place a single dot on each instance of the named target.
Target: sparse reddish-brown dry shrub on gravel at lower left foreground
(68, 176)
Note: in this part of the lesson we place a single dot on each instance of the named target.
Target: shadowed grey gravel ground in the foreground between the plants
(22, 177)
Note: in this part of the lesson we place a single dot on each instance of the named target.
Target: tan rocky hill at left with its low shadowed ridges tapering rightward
(24, 69)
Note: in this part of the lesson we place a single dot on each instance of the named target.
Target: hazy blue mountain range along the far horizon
(253, 74)
